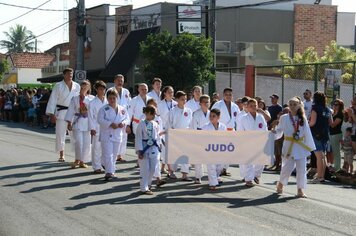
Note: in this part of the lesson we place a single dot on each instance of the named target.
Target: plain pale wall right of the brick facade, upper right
(345, 31)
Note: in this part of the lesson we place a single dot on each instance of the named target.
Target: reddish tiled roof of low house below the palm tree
(31, 60)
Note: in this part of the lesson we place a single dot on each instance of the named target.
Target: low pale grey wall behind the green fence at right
(266, 86)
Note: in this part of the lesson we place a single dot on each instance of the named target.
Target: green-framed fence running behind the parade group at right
(288, 80)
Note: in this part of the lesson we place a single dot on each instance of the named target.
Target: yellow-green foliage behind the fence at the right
(332, 53)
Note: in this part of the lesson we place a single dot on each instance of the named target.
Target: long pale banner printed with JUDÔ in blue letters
(218, 147)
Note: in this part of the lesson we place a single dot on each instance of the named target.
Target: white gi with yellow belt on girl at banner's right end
(299, 151)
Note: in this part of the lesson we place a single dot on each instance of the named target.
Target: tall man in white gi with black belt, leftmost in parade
(57, 107)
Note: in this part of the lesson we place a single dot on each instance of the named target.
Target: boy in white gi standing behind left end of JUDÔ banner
(180, 117)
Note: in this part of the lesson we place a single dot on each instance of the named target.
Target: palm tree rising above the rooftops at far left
(18, 39)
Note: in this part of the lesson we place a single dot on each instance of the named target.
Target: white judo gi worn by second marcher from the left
(80, 126)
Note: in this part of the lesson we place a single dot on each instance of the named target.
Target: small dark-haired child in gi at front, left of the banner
(147, 146)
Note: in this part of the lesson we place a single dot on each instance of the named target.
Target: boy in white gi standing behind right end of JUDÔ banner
(252, 121)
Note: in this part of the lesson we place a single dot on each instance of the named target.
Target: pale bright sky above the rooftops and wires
(40, 22)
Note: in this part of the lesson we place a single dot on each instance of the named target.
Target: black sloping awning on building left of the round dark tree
(125, 56)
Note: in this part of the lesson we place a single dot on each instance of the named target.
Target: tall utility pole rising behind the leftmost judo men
(80, 30)
